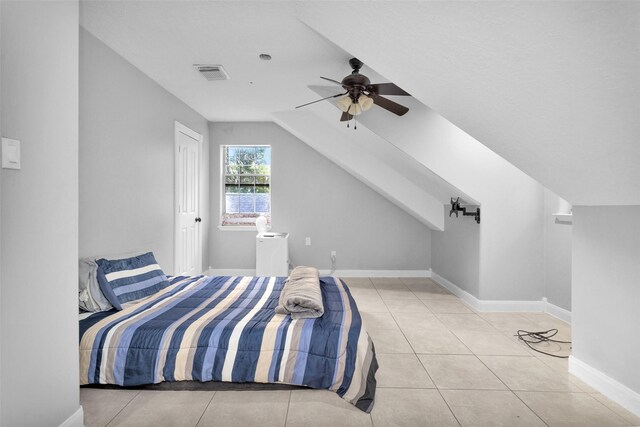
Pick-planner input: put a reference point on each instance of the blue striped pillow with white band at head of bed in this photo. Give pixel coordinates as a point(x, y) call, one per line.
point(124, 280)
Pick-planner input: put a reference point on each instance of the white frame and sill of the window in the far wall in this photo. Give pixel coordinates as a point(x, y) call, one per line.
point(249, 217)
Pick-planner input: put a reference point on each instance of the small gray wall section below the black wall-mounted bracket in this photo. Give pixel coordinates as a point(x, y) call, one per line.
point(455, 252)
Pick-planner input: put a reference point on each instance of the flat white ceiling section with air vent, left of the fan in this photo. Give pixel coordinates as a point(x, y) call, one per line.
point(164, 39)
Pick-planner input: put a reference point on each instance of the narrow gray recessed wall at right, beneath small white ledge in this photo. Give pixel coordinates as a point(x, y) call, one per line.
point(557, 252)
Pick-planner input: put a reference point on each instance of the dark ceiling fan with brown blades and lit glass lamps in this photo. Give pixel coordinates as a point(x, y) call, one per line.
point(361, 94)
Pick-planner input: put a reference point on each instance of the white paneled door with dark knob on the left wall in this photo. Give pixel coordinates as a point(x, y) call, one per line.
point(188, 251)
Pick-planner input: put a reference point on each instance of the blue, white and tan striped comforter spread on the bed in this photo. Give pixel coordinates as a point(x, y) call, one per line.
point(226, 329)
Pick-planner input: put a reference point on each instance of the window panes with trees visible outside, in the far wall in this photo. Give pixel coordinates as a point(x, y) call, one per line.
point(246, 171)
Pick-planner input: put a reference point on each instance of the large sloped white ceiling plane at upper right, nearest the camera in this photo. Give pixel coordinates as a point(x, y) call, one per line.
point(553, 87)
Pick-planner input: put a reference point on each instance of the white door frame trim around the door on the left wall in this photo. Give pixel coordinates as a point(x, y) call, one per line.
point(179, 128)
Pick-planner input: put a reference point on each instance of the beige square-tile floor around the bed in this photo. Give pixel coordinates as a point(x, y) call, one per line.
point(441, 364)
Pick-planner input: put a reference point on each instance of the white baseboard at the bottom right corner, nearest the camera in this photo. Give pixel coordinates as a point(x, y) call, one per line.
point(619, 393)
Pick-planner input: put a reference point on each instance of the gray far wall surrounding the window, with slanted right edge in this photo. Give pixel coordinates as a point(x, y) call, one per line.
point(313, 197)
